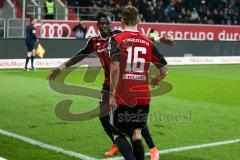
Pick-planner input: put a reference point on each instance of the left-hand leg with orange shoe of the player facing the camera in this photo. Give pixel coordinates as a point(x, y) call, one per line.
point(104, 119)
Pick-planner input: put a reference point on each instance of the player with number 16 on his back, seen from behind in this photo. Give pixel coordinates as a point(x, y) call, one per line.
point(131, 54)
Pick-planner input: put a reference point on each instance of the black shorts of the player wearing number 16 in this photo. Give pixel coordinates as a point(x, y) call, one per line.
point(125, 120)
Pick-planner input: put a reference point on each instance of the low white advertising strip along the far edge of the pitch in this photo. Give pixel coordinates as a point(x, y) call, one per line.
point(94, 62)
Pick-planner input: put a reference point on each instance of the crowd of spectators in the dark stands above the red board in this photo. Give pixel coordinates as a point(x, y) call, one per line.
point(172, 11)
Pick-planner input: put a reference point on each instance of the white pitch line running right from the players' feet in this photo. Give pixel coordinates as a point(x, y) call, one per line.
point(179, 149)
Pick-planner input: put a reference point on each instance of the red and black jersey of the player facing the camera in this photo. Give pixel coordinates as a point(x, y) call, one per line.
point(99, 45)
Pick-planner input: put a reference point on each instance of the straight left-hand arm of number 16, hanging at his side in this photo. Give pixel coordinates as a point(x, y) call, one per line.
point(114, 71)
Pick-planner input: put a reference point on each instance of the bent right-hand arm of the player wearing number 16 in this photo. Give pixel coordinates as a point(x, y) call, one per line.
point(160, 62)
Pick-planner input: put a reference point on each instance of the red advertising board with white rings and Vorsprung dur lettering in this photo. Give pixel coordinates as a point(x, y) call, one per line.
point(63, 29)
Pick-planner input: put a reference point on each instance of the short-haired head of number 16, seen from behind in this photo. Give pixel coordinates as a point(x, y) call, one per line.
point(130, 15)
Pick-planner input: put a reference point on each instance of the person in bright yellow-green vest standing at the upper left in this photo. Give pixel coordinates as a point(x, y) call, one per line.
point(50, 9)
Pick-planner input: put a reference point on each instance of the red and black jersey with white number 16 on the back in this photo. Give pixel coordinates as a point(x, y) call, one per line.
point(134, 51)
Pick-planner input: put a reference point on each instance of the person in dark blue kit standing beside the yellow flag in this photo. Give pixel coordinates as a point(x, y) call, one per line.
point(30, 42)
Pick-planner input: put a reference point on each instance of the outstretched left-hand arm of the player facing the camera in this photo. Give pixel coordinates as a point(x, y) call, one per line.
point(83, 53)
